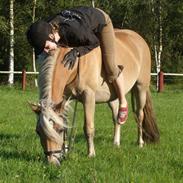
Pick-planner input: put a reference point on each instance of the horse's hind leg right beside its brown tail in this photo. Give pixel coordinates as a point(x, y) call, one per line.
point(140, 94)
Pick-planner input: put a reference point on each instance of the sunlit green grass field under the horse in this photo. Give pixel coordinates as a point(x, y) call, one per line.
point(22, 159)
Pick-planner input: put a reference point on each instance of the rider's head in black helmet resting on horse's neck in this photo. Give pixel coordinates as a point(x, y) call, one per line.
point(42, 37)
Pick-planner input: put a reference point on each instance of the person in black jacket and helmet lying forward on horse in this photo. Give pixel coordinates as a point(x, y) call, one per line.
point(83, 28)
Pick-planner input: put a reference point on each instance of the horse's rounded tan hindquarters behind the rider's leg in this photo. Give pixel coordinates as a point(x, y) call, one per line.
point(133, 53)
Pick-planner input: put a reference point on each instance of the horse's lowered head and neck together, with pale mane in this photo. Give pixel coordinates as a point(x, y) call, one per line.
point(51, 118)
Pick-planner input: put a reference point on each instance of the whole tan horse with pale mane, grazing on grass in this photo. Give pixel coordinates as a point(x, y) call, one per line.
point(87, 83)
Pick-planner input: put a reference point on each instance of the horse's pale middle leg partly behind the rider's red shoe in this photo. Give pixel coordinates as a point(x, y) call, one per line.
point(114, 105)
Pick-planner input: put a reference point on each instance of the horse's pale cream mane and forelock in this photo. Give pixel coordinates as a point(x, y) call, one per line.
point(46, 71)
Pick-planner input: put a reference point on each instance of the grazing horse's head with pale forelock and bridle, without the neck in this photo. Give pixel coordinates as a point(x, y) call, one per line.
point(51, 128)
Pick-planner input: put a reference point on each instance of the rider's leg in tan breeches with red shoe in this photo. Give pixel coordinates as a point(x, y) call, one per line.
point(115, 75)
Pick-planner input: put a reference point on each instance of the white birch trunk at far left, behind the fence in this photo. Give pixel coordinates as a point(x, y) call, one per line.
point(11, 56)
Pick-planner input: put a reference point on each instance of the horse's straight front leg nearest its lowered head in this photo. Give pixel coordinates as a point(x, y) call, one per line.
point(89, 110)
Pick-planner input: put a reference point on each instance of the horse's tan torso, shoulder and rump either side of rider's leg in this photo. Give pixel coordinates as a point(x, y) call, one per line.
point(131, 51)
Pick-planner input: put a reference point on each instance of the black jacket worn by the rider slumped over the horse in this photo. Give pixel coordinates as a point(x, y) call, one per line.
point(79, 28)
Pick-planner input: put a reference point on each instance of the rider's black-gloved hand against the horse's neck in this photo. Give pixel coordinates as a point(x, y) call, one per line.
point(70, 58)
